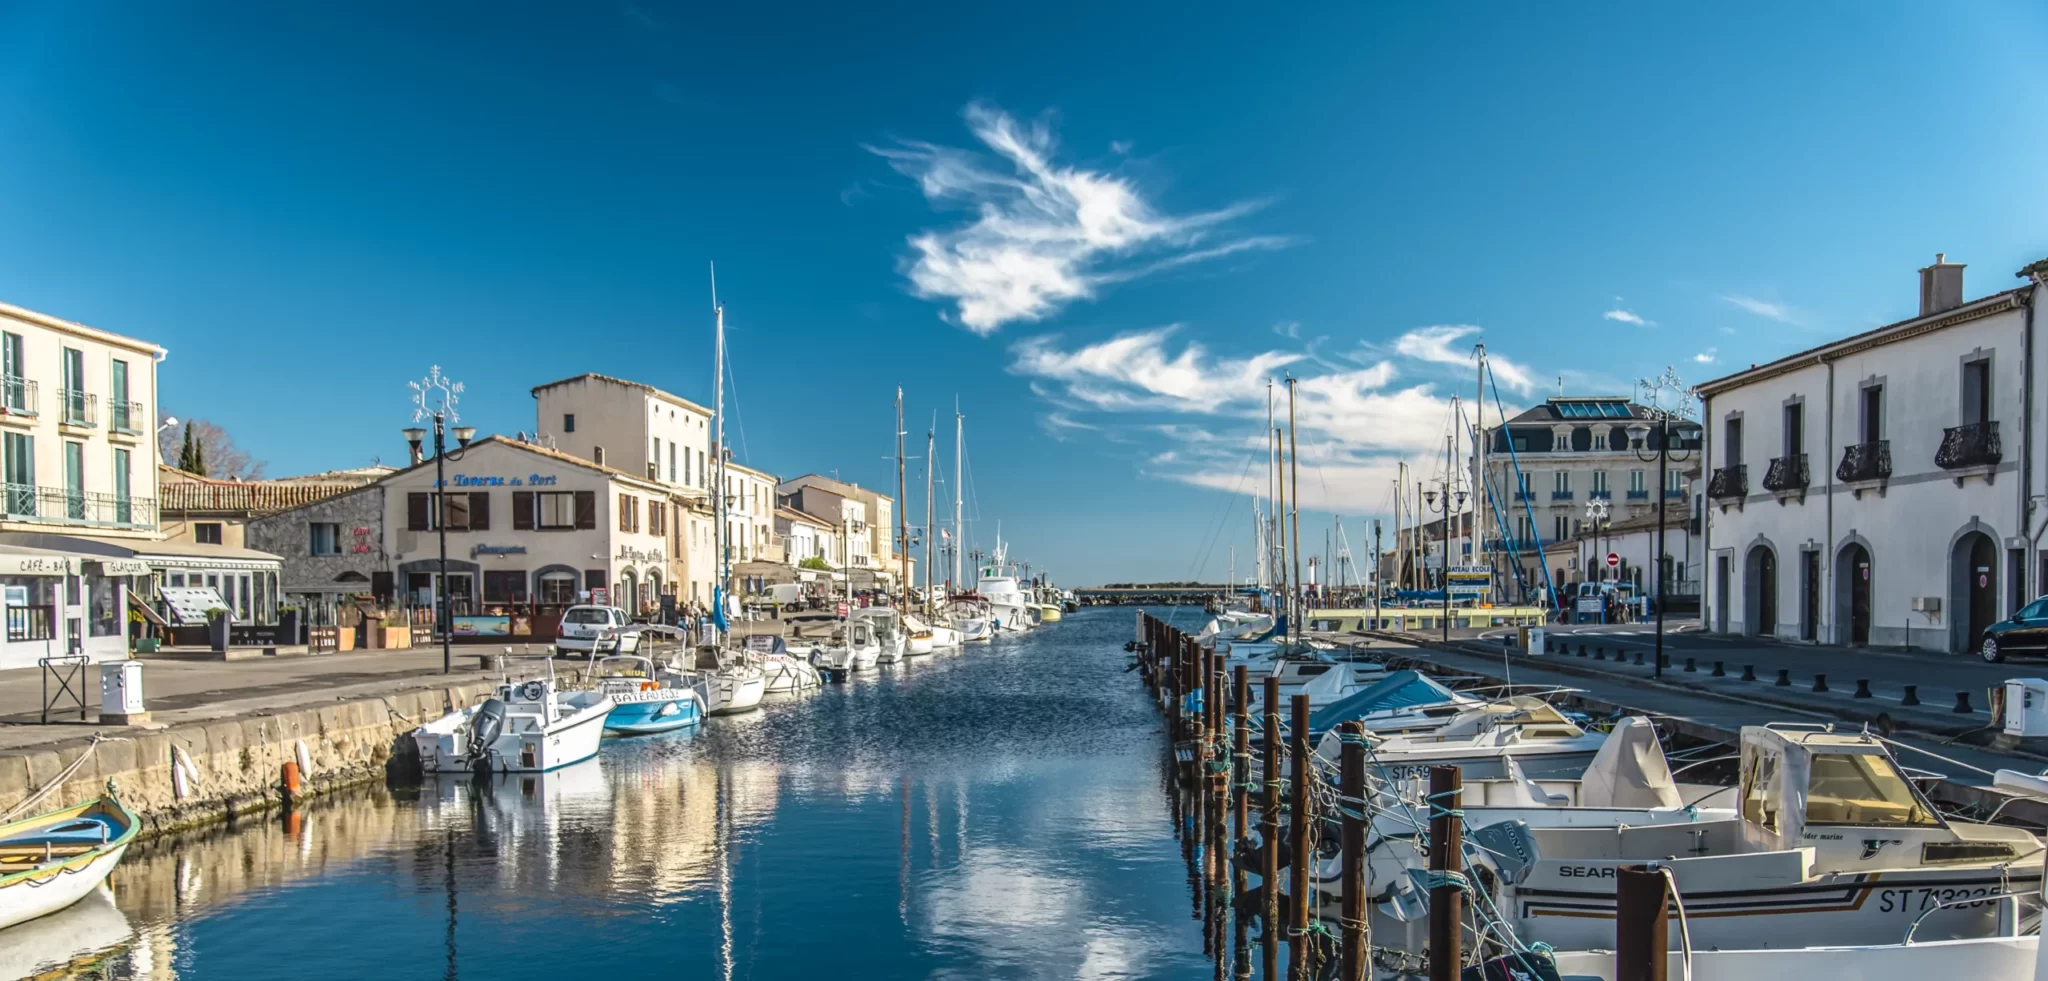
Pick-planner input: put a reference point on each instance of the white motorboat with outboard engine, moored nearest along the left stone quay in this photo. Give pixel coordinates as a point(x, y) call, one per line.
point(525, 728)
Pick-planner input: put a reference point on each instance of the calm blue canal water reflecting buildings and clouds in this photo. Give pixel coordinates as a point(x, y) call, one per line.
point(988, 814)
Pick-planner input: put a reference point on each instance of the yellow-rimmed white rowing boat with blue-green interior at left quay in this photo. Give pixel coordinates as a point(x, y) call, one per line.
point(56, 859)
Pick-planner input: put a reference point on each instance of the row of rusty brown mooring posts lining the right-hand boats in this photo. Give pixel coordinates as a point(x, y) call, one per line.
point(1220, 796)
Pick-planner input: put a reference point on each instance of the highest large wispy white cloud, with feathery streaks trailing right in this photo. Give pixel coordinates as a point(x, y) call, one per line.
point(1043, 234)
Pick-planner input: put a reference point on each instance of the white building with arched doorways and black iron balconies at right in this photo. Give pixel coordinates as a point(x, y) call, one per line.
point(1883, 488)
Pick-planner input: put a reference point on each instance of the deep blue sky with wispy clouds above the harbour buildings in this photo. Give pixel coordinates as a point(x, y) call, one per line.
point(1099, 226)
